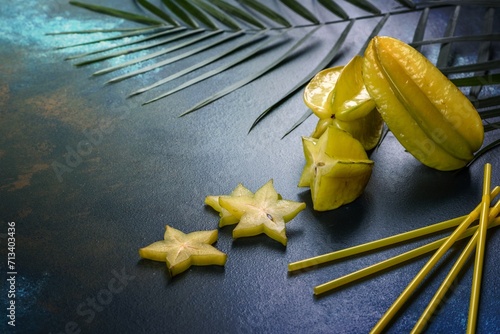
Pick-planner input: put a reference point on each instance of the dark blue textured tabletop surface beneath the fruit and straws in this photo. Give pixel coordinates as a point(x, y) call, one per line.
point(76, 235)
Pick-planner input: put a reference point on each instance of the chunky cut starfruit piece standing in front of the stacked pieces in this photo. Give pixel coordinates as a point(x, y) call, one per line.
point(337, 169)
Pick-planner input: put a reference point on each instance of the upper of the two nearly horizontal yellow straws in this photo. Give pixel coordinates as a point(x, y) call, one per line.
point(372, 245)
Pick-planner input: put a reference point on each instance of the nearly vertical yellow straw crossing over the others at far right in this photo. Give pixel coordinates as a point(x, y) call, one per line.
point(479, 260)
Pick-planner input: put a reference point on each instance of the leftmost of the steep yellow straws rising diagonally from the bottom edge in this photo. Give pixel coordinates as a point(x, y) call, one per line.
point(387, 317)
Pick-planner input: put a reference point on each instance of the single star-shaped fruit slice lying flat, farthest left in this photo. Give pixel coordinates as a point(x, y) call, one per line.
point(180, 250)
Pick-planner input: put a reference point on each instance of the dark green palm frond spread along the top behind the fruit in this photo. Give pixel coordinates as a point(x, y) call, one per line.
point(247, 27)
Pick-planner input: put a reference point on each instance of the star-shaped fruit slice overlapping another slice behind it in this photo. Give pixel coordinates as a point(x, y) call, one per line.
point(264, 212)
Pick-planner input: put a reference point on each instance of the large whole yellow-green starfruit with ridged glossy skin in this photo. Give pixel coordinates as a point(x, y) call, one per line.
point(424, 110)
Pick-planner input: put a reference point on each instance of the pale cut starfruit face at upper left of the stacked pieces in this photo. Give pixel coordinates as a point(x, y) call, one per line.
point(316, 94)
